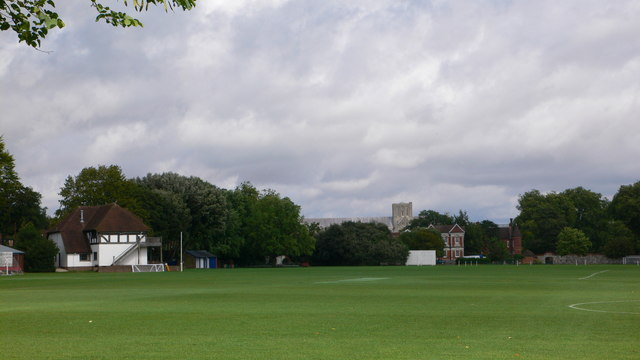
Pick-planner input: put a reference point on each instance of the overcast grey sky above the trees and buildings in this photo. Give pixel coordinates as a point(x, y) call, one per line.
point(343, 106)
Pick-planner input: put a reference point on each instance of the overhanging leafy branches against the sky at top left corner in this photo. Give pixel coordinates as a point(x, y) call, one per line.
point(31, 20)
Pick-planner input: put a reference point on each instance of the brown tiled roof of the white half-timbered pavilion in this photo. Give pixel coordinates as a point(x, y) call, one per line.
point(105, 218)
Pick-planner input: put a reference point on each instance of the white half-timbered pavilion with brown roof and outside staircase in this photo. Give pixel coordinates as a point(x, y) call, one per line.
point(97, 236)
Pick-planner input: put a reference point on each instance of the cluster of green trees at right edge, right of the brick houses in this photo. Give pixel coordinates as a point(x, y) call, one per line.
point(579, 220)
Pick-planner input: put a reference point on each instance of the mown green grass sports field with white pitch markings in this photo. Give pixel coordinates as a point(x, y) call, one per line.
point(444, 312)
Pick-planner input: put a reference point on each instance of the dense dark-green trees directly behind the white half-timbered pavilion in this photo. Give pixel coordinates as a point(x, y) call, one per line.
point(243, 225)
